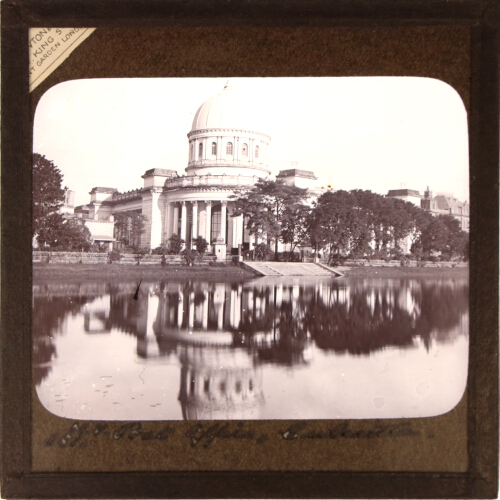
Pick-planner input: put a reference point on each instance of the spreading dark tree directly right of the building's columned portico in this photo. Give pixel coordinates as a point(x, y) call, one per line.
point(264, 208)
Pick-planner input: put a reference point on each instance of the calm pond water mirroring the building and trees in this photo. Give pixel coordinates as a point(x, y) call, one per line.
point(289, 348)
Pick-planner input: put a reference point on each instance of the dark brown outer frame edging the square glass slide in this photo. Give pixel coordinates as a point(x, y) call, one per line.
point(480, 17)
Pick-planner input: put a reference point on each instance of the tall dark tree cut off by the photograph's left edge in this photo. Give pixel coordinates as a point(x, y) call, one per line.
point(48, 195)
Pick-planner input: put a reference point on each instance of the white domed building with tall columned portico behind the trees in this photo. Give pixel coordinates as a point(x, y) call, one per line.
point(227, 153)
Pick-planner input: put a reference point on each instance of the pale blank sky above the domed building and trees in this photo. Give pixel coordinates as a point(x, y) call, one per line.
point(376, 133)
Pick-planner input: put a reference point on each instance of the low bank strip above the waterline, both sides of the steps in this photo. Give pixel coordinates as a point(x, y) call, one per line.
point(217, 272)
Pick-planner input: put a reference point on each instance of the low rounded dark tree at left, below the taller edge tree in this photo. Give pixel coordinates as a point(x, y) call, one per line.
point(64, 234)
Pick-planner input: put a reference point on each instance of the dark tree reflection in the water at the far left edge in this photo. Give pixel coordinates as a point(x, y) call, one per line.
point(48, 317)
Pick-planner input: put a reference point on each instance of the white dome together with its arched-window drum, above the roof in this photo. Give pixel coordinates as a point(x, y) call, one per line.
point(225, 133)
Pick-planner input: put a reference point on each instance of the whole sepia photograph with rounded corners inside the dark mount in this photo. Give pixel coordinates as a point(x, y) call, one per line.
point(250, 248)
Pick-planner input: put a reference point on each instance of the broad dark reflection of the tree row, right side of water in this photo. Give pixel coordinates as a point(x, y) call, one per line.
point(379, 317)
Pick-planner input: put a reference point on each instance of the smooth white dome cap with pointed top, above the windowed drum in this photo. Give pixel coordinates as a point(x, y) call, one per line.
point(227, 109)
